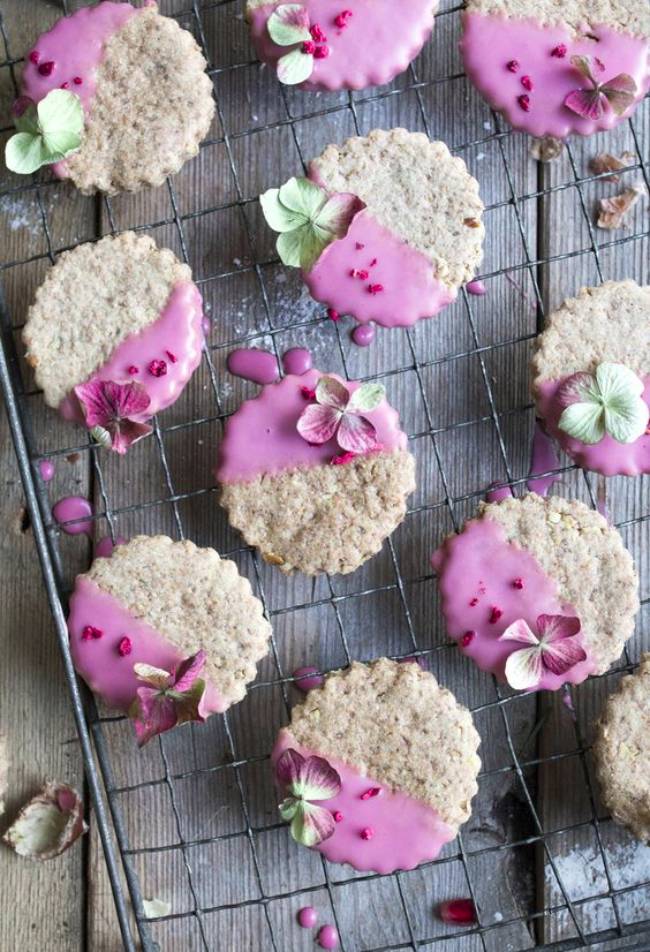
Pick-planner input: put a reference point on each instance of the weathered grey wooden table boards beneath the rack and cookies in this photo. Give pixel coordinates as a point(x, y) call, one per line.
point(462, 392)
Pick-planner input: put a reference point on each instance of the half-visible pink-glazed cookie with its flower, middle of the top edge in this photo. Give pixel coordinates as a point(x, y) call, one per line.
point(319, 46)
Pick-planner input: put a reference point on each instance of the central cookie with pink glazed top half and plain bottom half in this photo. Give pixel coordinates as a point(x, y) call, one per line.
point(315, 472)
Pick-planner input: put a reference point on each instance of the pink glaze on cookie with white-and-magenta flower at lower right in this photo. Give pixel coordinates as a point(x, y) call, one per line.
point(479, 570)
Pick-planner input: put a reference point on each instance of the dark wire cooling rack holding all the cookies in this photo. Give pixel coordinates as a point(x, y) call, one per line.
point(191, 819)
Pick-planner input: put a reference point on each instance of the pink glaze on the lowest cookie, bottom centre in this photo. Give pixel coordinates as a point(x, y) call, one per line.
point(406, 831)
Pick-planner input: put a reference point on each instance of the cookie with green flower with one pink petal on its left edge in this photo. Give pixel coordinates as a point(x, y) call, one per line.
point(386, 228)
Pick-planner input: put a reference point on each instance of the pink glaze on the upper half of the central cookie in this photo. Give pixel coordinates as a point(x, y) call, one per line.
point(261, 437)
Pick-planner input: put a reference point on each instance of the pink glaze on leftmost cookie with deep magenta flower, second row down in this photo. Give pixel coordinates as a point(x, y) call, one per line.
point(176, 338)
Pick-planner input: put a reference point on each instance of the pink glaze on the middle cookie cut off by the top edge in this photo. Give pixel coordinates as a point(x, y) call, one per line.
point(376, 44)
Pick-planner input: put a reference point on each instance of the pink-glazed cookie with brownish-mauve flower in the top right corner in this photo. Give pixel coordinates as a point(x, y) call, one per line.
point(557, 67)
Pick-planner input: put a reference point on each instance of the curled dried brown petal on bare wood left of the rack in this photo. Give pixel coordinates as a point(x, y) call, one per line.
point(48, 824)
